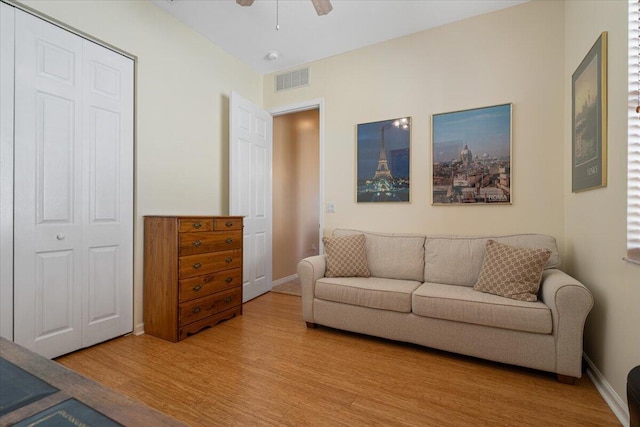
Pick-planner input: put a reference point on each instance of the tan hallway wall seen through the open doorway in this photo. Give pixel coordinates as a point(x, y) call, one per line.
point(295, 190)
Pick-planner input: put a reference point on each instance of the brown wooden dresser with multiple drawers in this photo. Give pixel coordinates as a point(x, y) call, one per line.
point(192, 273)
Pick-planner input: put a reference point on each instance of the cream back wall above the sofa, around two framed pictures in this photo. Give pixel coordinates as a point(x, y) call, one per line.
point(515, 55)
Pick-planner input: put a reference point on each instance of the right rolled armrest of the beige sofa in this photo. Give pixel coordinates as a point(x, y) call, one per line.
point(570, 302)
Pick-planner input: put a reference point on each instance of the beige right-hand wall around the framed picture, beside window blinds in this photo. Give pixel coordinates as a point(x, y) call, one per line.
point(595, 221)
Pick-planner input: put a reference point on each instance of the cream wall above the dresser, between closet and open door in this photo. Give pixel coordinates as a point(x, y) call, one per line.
point(183, 83)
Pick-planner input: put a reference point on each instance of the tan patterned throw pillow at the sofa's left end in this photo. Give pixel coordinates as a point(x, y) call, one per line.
point(346, 256)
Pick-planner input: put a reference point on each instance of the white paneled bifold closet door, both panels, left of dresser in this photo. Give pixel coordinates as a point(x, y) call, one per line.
point(73, 183)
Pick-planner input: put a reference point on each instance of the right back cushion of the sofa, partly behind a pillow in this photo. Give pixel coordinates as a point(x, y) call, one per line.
point(457, 260)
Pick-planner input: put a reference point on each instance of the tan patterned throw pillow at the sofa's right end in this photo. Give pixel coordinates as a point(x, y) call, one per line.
point(512, 272)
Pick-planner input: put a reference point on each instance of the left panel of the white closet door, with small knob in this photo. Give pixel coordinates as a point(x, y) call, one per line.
point(48, 187)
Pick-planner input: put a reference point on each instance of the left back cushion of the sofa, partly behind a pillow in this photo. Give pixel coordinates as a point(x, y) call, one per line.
point(394, 256)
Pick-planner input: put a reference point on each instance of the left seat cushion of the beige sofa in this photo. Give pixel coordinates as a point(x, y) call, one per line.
point(372, 292)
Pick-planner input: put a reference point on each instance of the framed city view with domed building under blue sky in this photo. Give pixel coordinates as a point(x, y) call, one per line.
point(472, 156)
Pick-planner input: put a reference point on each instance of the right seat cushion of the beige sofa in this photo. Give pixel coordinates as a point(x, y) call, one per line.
point(463, 304)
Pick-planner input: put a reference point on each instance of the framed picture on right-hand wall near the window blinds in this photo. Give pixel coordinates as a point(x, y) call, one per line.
point(589, 120)
